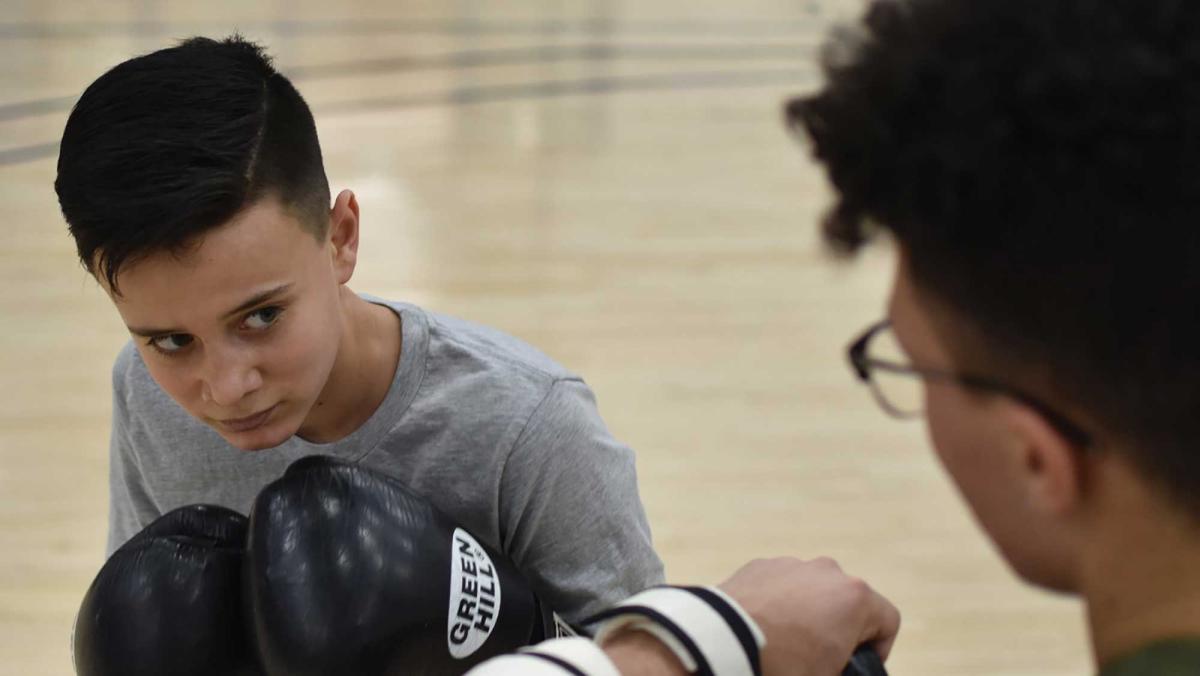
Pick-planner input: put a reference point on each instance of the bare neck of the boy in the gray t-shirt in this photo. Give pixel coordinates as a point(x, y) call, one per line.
point(363, 372)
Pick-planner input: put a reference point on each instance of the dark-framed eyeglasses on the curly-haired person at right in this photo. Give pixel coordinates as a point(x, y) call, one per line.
point(880, 362)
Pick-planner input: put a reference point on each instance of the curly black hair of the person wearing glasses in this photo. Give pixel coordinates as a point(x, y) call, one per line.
point(1040, 165)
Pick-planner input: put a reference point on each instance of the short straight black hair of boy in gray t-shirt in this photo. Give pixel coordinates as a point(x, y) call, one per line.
point(171, 145)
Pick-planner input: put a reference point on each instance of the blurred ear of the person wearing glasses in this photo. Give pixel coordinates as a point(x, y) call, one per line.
point(1052, 465)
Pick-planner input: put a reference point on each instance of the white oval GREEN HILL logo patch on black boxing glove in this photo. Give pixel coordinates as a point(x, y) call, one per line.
point(475, 596)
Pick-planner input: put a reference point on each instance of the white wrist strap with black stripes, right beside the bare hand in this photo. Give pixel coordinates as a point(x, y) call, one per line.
point(707, 630)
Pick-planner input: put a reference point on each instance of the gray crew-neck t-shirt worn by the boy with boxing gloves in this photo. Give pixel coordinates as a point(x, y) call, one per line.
point(494, 433)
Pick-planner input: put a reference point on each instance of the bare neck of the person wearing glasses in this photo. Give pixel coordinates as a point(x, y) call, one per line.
point(1142, 575)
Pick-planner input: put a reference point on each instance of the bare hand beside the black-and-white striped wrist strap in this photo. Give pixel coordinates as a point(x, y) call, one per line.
point(813, 614)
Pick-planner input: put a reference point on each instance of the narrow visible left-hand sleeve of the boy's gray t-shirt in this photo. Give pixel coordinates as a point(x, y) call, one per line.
point(130, 507)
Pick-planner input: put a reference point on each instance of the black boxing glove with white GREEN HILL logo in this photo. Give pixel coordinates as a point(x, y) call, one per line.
point(349, 572)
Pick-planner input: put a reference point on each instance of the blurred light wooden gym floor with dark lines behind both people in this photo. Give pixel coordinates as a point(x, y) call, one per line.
point(609, 181)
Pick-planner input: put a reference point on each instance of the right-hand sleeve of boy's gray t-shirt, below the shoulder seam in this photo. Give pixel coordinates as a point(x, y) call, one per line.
point(571, 515)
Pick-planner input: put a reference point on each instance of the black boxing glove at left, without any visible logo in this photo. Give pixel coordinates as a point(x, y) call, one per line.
point(170, 602)
